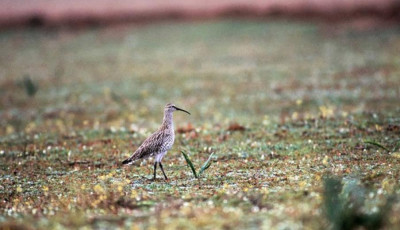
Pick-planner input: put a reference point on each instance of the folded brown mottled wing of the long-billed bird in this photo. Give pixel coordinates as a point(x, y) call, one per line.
point(151, 145)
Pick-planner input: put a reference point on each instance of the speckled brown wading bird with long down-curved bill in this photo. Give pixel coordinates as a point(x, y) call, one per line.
point(158, 143)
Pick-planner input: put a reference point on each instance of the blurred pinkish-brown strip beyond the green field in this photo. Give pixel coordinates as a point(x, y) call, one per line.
point(60, 12)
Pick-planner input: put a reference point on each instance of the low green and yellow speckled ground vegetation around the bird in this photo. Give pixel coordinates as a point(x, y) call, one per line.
point(282, 105)
